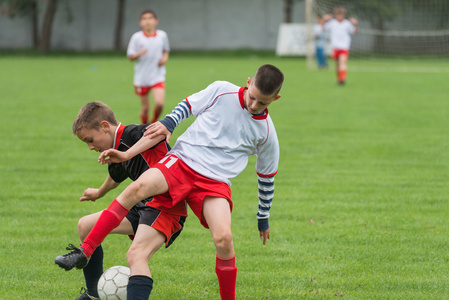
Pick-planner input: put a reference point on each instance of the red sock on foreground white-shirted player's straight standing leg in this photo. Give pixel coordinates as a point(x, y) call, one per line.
point(227, 277)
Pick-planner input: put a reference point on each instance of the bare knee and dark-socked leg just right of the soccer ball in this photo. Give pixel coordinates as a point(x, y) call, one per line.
point(146, 242)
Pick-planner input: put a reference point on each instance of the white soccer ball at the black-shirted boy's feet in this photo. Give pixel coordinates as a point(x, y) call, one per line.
point(112, 283)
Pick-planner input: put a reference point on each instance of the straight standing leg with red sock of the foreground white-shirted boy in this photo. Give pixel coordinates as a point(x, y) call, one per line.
point(217, 213)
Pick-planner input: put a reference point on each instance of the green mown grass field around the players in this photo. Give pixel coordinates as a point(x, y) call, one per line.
point(360, 208)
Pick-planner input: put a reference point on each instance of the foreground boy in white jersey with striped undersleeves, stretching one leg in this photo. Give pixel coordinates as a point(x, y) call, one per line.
point(231, 124)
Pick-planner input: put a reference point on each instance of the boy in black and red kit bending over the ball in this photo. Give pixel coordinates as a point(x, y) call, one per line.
point(97, 126)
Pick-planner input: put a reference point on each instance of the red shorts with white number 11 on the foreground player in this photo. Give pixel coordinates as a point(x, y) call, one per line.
point(186, 184)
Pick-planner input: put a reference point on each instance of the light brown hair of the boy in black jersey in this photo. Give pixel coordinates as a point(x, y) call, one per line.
point(91, 115)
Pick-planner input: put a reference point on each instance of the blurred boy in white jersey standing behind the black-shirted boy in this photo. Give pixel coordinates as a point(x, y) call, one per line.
point(150, 49)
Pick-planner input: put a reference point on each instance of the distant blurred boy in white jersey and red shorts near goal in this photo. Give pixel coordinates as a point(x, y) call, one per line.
point(341, 31)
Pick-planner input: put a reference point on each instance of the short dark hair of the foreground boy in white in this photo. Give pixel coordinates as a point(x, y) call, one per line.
point(268, 79)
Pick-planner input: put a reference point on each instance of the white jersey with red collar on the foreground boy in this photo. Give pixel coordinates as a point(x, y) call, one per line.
point(217, 145)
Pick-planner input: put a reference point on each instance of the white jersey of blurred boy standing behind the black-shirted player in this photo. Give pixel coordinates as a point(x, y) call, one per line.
point(146, 69)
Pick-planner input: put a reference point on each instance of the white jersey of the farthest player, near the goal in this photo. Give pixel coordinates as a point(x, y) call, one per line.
point(340, 33)
